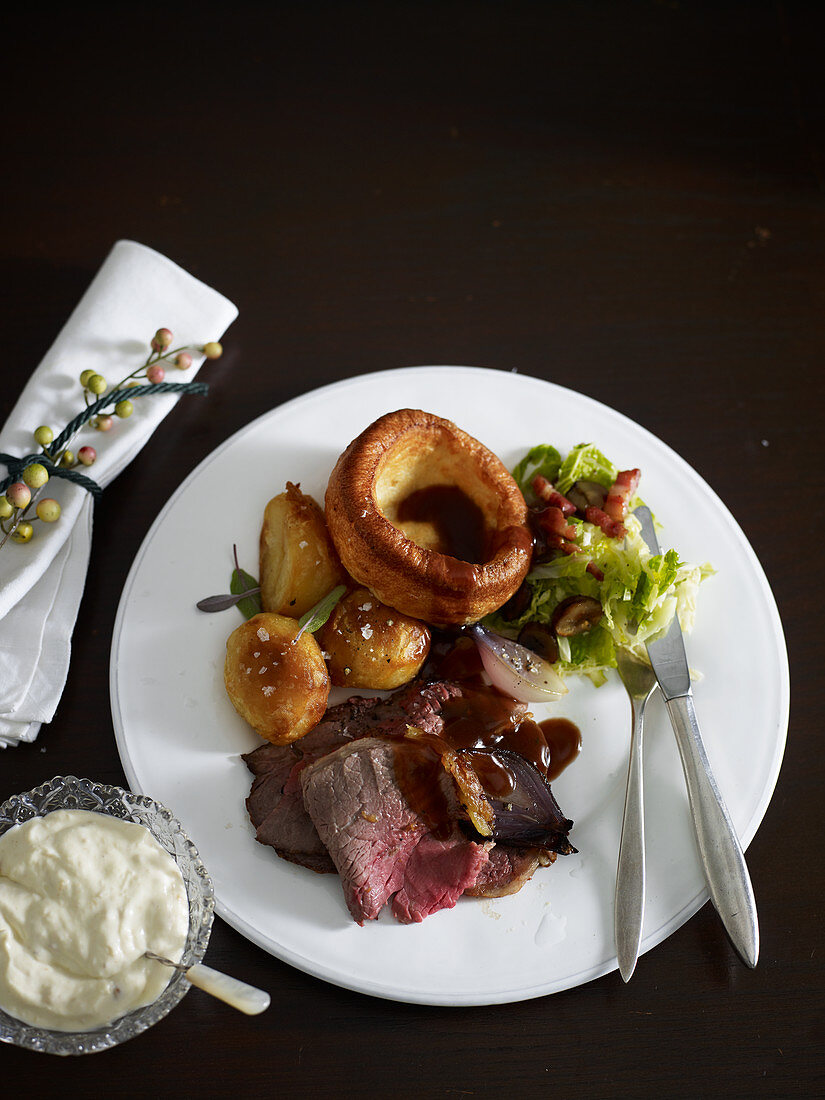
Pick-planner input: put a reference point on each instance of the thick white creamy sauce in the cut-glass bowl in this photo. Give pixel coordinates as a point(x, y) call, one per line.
point(83, 896)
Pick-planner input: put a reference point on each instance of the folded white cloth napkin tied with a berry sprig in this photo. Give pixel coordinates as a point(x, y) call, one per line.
point(136, 292)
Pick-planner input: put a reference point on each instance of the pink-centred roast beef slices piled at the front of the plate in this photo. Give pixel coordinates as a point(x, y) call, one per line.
point(334, 801)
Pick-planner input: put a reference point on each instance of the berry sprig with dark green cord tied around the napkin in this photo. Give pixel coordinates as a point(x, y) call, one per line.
point(23, 503)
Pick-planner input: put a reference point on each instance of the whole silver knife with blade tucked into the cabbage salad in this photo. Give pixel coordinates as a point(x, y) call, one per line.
point(727, 872)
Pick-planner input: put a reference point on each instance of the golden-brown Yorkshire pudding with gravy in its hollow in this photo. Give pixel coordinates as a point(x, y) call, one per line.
point(428, 520)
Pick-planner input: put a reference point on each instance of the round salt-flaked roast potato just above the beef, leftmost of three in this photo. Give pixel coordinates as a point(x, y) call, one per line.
point(278, 685)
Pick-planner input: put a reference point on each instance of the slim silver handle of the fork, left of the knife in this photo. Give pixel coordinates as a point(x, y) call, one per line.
point(630, 901)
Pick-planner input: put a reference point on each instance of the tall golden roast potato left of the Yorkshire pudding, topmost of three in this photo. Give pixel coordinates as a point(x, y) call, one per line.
point(299, 563)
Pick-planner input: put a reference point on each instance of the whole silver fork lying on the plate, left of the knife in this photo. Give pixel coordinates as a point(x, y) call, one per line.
point(640, 680)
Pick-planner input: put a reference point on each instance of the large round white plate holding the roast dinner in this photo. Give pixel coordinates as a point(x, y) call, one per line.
point(180, 739)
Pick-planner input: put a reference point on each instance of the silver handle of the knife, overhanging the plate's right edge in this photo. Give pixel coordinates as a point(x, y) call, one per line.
point(722, 856)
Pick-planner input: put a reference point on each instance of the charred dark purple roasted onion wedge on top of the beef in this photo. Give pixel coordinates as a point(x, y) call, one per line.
point(531, 813)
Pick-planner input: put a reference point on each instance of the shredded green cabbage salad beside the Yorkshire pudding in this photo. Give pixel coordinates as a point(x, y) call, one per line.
point(641, 592)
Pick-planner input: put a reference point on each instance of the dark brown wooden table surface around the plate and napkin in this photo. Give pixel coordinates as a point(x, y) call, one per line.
point(624, 199)
